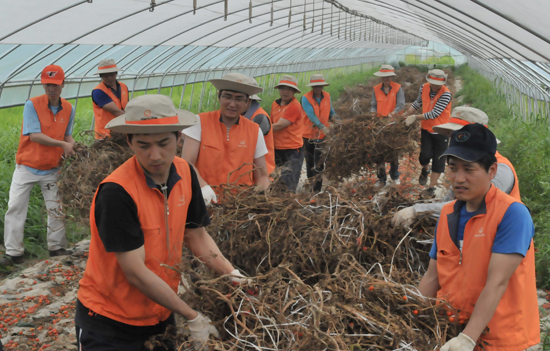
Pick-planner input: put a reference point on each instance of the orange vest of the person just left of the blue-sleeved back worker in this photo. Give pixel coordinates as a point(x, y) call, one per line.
point(291, 136)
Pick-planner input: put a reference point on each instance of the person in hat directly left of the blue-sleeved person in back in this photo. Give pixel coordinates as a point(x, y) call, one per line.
point(286, 114)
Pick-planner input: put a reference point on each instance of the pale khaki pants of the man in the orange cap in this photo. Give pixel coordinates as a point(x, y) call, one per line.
point(21, 185)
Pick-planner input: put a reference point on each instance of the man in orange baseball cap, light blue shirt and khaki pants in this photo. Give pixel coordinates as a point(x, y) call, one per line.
point(46, 137)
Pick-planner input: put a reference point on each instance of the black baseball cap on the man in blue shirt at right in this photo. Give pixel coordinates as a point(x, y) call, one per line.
point(472, 142)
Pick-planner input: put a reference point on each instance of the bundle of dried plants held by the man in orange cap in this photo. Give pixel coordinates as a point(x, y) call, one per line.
point(81, 174)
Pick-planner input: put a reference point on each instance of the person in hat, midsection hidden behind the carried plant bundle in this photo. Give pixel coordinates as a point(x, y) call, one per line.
point(388, 99)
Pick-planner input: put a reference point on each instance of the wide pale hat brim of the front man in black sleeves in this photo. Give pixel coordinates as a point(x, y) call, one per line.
point(186, 119)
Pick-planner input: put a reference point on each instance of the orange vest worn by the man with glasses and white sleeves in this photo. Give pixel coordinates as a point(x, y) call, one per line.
point(222, 153)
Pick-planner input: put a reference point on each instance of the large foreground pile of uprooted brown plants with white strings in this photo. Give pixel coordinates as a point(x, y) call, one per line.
point(328, 272)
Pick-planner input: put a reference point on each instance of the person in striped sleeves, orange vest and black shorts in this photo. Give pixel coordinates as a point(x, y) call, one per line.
point(435, 100)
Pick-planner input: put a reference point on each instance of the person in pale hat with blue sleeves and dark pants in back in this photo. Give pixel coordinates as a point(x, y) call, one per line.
point(318, 112)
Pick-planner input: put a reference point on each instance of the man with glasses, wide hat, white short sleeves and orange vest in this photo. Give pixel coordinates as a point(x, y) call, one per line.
point(223, 147)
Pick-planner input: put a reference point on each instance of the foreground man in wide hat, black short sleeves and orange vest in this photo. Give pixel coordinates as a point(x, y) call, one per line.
point(141, 216)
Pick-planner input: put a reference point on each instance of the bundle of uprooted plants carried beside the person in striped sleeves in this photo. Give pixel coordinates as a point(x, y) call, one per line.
point(360, 142)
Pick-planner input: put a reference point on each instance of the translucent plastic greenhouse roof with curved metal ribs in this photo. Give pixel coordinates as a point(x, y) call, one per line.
point(170, 37)
